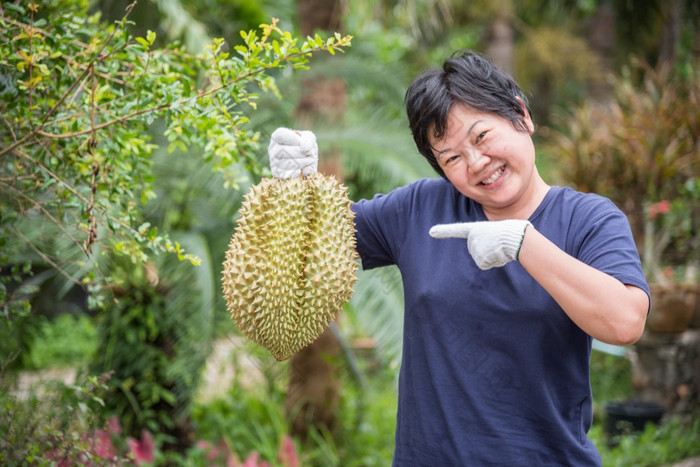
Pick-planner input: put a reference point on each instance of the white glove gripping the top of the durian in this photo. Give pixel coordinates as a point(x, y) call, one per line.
point(292, 153)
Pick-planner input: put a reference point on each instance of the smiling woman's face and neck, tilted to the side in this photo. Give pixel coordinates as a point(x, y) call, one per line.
point(491, 162)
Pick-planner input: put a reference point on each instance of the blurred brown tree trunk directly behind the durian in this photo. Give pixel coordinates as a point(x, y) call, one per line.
point(314, 390)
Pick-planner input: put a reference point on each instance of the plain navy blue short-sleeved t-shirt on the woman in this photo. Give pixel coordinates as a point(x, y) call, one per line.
point(493, 371)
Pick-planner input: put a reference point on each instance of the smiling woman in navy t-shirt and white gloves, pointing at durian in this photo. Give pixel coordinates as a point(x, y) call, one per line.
point(497, 329)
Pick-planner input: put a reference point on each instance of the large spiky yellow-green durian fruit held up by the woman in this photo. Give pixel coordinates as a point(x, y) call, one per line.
point(291, 262)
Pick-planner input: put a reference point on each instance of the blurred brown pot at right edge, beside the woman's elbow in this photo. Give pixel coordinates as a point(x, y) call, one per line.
point(672, 307)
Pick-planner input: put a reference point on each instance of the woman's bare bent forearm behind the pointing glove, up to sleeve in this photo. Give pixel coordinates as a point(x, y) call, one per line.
point(598, 303)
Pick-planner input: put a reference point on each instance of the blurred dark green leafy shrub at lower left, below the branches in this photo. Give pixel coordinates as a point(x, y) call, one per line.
point(155, 347)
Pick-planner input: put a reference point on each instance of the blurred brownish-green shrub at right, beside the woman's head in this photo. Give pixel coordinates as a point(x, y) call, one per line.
point(642, 146)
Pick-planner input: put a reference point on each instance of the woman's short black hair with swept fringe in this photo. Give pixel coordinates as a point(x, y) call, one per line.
point(467, 78)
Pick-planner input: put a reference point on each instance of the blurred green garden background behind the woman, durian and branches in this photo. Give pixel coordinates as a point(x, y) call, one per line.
point(615, 93)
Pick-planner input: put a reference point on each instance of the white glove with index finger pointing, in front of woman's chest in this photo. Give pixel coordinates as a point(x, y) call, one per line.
point(491, 243)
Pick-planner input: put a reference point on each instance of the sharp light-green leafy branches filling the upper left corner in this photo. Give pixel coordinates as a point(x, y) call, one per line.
point(78, 98)
